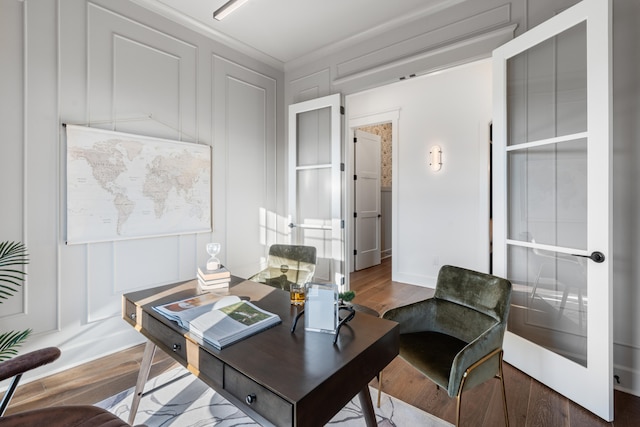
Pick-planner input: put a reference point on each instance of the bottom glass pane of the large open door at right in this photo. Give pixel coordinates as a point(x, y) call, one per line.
point(549, 300)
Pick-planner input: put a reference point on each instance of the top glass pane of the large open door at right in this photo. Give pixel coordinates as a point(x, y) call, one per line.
point(547, 88)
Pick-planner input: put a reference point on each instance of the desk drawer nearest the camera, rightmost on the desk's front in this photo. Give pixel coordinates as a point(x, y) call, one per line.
point(258, 398)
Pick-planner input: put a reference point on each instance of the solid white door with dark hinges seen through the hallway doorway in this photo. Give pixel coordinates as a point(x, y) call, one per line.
point(367, 200)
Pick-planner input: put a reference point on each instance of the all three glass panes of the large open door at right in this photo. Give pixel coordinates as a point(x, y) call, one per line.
point(547, 193)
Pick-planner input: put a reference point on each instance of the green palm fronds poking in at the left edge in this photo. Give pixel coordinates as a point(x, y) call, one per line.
point(13, 257)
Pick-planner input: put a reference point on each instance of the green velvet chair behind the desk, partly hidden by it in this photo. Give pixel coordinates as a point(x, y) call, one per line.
point(288, 264)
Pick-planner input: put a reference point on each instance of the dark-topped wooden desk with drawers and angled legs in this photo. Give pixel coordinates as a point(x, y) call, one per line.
point(275, 377)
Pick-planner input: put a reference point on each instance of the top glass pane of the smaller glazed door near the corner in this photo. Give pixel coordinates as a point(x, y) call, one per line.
point(314, 137)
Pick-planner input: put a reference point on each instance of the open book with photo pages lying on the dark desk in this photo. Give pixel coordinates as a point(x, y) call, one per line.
point(218, 321)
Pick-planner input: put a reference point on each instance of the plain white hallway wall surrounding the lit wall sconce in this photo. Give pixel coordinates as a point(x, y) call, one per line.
point(439, 217)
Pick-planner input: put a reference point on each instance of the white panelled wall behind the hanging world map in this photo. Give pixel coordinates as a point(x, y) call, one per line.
point(111, 64)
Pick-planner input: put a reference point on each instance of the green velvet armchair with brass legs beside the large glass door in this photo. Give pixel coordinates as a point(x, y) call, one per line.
point(455, 338)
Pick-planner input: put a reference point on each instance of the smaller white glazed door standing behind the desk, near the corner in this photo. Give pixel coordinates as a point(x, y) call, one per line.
point(315, 183)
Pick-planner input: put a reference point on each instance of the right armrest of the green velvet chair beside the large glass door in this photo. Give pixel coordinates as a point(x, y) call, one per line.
point(473, 352)
